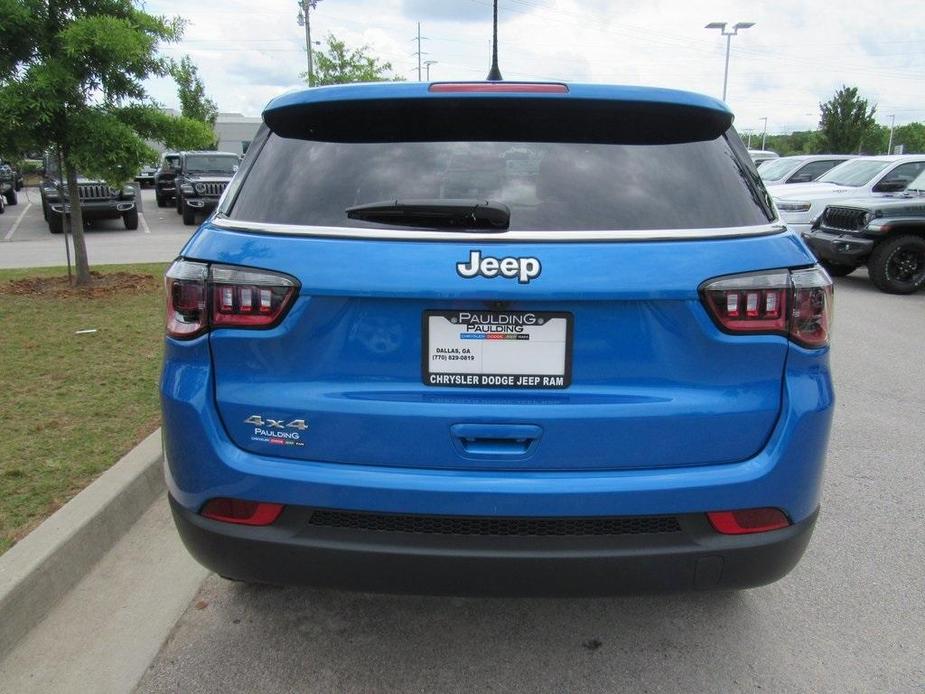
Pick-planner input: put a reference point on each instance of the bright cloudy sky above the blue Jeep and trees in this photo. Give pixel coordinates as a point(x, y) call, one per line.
point(797, 55)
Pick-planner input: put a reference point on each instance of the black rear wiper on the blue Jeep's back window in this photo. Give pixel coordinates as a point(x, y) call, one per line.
point(462, 213)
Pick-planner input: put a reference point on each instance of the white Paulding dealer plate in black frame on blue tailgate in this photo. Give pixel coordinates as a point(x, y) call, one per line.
point(497, 349)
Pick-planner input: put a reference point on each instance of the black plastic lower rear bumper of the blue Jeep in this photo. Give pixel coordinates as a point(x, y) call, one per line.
point(293, 551)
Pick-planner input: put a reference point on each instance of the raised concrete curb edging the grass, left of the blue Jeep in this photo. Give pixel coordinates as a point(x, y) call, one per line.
point(37, 572)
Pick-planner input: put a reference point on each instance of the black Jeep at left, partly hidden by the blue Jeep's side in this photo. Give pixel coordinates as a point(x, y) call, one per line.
point(201, 179)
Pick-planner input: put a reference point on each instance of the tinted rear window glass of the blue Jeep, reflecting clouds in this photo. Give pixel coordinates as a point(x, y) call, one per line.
point(547, 186)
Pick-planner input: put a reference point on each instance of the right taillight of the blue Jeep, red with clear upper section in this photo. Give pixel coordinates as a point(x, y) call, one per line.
point(795, 303)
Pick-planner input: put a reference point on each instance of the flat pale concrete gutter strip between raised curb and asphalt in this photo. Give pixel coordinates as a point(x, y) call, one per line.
point(102, 636)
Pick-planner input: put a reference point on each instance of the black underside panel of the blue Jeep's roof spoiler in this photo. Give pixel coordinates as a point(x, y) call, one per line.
point(520, 118)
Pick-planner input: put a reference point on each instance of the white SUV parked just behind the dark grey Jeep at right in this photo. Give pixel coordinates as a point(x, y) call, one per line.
point(800, 203)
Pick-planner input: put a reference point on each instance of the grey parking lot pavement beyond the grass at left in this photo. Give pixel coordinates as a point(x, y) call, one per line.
point(26, 242)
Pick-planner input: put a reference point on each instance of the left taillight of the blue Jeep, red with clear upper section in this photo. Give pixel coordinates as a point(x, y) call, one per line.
point(202, 296)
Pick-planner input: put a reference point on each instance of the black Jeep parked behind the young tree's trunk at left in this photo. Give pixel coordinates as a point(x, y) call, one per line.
point(98, 200)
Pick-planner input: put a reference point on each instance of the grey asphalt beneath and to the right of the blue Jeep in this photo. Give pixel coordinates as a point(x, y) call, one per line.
point(850, 618)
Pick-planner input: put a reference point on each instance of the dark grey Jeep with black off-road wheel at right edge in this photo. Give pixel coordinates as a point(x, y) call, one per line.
point(886, 234)
